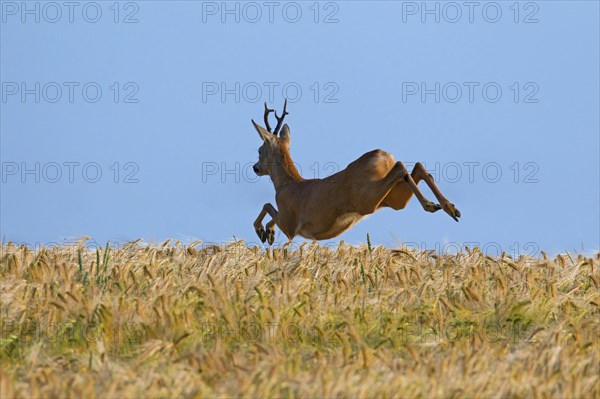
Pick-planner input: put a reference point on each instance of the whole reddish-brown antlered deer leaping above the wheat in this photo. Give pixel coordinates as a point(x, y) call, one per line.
point(320, 209)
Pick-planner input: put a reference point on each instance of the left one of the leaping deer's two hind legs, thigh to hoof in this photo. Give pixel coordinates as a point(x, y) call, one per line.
point(396, 189)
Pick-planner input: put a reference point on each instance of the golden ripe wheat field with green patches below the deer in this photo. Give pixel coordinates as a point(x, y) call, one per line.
point(352, 321)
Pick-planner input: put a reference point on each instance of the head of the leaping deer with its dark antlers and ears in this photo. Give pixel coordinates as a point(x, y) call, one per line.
point(274, 149)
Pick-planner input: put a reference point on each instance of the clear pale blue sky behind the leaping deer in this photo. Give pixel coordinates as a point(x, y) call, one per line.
point(140, 128)
